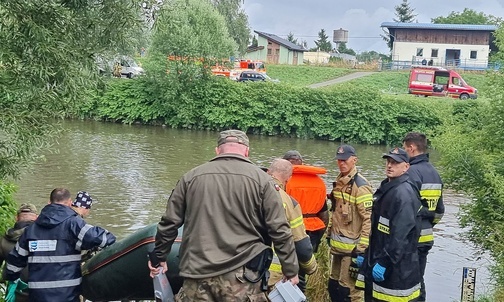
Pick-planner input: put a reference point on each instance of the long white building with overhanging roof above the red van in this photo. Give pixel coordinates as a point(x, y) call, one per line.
point(459, 45)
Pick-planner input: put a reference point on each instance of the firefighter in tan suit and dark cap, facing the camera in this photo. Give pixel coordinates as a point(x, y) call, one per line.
point(348, 233)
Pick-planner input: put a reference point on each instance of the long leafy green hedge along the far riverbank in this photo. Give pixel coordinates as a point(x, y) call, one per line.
point(344, 114)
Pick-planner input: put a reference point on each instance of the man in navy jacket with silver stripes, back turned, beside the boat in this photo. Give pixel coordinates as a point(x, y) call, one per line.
point(51, 247)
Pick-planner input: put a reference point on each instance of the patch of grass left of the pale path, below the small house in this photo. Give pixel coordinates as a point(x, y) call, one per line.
point(304, 75)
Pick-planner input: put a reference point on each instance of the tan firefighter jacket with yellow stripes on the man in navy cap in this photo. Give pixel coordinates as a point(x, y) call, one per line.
point(351, 218)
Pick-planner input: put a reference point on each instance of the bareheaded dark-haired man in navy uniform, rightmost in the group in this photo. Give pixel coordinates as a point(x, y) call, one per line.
point(428, 181)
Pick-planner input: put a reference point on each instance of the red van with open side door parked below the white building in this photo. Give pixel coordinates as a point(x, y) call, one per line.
point(438, 81)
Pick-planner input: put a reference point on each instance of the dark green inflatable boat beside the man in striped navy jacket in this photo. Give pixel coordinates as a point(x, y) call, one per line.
point(119, 272)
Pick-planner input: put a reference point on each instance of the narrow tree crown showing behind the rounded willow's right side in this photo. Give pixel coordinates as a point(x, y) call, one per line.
point(236, 21)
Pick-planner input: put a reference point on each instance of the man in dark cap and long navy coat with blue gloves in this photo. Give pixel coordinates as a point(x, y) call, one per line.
point(390, 268)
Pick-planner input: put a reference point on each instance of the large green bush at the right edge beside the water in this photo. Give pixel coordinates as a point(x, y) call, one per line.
point(471, 144)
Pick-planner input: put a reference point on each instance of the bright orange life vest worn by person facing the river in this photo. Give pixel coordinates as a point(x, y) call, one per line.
point(307, 188)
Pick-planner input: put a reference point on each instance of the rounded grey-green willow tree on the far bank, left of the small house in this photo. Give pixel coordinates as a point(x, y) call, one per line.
point(188, 37)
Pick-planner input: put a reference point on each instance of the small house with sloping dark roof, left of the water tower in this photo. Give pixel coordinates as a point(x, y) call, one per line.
point(275, 50)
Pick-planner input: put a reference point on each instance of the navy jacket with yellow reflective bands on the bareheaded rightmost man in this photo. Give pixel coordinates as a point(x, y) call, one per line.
point(428, 181)
